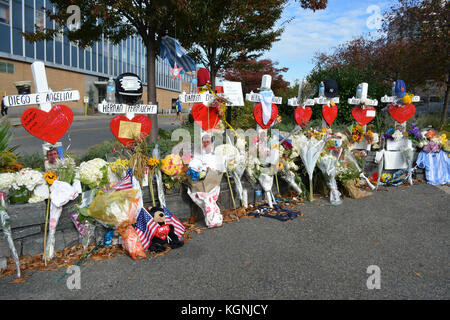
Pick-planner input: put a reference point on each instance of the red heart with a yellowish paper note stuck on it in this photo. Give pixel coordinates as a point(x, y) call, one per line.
point(124, 129)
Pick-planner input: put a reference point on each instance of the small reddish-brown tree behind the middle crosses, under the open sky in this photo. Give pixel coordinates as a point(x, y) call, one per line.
point(250, 73)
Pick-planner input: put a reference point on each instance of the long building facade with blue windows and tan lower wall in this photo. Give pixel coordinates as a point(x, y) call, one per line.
point(69, 65)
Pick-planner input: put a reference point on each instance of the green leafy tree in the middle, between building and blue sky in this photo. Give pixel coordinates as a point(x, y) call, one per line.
point(234, 30)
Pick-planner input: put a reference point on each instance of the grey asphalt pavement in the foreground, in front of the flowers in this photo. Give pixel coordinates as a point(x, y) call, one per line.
point(325, 254)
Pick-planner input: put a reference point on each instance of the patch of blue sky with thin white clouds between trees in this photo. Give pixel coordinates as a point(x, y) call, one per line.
point(321, 31)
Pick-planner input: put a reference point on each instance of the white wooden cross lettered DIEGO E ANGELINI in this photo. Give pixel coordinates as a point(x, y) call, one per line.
point(44, 96)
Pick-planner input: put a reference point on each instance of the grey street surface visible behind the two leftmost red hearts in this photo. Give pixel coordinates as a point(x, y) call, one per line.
point(82, 135)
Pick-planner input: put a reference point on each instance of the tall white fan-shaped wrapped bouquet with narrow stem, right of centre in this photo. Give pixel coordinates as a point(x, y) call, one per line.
point(309, 150)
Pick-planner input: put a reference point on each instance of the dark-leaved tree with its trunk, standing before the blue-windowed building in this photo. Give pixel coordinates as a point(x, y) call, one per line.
point(117, 20)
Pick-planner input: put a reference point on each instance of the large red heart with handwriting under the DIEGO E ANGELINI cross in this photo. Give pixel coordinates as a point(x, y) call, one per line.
point(48, 126)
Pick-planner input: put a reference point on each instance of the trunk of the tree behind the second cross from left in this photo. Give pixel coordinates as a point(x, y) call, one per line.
point(151, 89)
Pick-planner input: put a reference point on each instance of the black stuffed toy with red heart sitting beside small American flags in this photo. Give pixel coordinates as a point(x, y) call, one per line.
point(164, 234)
